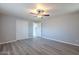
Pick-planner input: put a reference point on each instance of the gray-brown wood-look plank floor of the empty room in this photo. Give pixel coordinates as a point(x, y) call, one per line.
point(38, 46)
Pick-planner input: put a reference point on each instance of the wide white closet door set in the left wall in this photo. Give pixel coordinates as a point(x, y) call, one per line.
point(21, 29)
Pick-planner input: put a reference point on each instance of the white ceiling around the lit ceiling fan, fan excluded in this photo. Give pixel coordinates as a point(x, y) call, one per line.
point(22, 10)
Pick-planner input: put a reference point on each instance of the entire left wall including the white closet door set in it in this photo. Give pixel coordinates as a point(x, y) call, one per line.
point(12, 29)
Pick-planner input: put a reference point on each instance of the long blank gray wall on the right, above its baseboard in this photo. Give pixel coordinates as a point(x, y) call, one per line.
point(63, 28)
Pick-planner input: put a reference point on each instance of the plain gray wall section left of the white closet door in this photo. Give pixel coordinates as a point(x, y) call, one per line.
point(7, 26)
